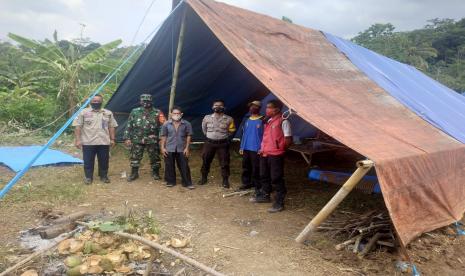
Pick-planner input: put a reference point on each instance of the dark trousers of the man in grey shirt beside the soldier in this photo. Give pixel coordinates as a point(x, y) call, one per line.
point(179, 159)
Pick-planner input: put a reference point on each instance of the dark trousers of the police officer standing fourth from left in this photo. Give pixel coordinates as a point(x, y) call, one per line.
point(209, 150)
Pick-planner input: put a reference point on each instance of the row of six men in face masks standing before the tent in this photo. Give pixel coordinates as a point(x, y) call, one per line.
point(264, 142)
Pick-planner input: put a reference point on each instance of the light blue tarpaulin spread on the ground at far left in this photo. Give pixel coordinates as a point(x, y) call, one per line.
point(17, 157)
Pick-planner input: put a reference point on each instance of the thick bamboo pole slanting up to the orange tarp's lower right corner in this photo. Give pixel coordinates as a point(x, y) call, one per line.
point(362, 168)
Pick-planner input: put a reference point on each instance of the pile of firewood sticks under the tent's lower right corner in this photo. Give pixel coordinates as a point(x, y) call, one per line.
point(362, 233)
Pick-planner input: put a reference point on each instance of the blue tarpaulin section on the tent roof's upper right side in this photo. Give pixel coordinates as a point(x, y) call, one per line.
point(439, 105)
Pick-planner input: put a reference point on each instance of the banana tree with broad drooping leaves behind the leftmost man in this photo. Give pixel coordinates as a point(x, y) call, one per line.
point(67, 66)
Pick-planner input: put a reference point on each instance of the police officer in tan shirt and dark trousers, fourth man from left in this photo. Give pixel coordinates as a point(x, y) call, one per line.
point(218, 128)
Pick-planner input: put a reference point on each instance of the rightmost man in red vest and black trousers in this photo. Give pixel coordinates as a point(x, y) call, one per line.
point(277, 137)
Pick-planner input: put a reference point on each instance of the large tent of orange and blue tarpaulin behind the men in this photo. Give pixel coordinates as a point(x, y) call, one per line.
point(239, 55)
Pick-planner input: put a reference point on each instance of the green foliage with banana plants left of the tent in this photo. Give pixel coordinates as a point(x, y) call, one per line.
point(43, 82)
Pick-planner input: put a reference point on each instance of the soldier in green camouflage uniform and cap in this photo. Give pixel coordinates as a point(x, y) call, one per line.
point(143, 132)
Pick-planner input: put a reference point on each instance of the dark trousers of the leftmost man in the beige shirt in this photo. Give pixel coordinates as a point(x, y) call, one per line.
point(103, 156)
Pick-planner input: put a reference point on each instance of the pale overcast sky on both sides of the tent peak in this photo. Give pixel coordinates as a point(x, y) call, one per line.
point(106, 20)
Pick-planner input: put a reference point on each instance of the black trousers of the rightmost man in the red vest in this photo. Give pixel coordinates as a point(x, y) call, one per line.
point(272, 176)
